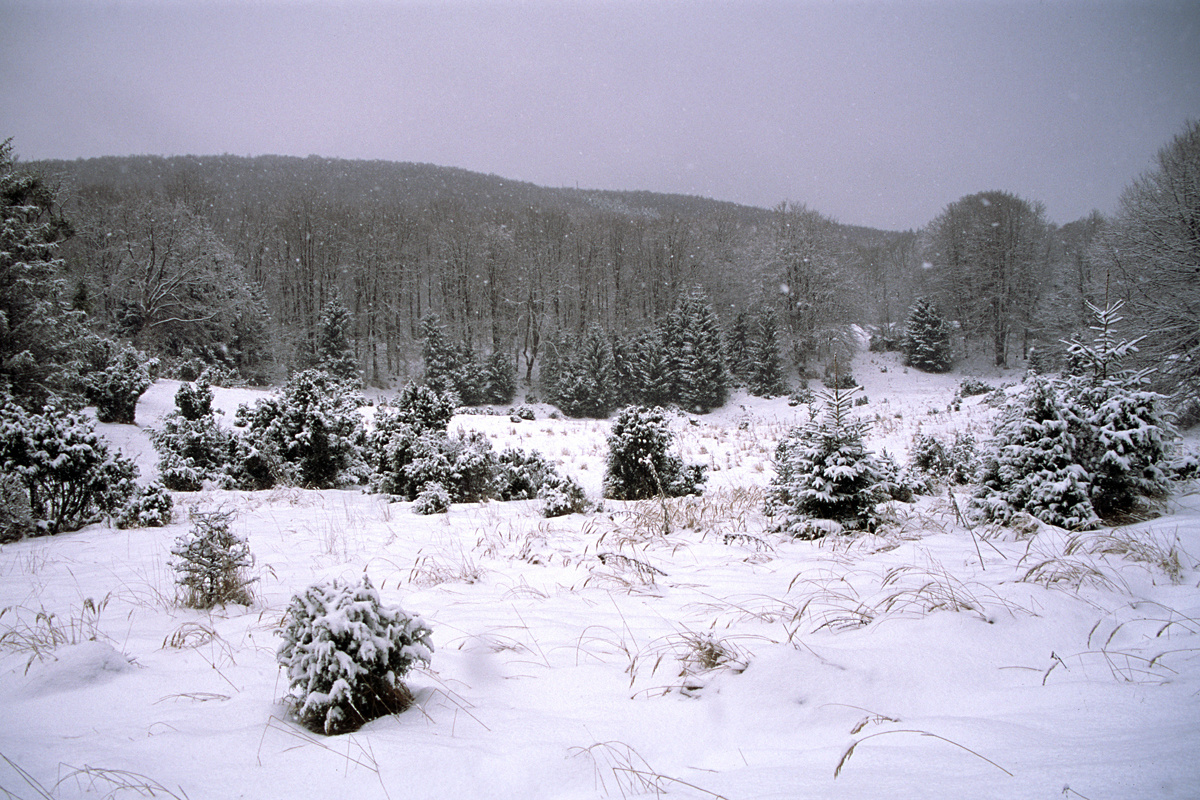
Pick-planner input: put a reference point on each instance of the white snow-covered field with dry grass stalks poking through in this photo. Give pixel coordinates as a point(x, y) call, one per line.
point(707, 658)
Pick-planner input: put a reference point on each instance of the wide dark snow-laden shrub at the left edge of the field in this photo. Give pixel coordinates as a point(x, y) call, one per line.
point(69, 473)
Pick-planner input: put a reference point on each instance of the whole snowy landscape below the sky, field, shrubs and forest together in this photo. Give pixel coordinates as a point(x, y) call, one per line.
point(682, 497)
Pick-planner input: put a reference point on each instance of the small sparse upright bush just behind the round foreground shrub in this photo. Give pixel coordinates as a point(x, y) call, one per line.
point(212, 562)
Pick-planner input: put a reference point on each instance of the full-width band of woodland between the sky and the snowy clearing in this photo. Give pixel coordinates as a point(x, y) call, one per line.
point(232, 263)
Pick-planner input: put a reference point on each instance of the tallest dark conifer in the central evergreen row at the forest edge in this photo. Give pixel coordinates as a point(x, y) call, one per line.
point(697, 356)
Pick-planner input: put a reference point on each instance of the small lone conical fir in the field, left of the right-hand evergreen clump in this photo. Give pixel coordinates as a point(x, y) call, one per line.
point(825, 472)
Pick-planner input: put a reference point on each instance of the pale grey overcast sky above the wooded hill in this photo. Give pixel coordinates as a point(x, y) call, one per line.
point(877, 113)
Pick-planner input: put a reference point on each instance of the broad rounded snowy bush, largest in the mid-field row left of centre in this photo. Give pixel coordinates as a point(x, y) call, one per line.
point(314, 429)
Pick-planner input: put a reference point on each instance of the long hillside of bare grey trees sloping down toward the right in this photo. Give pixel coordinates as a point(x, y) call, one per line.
point(503, 264)
